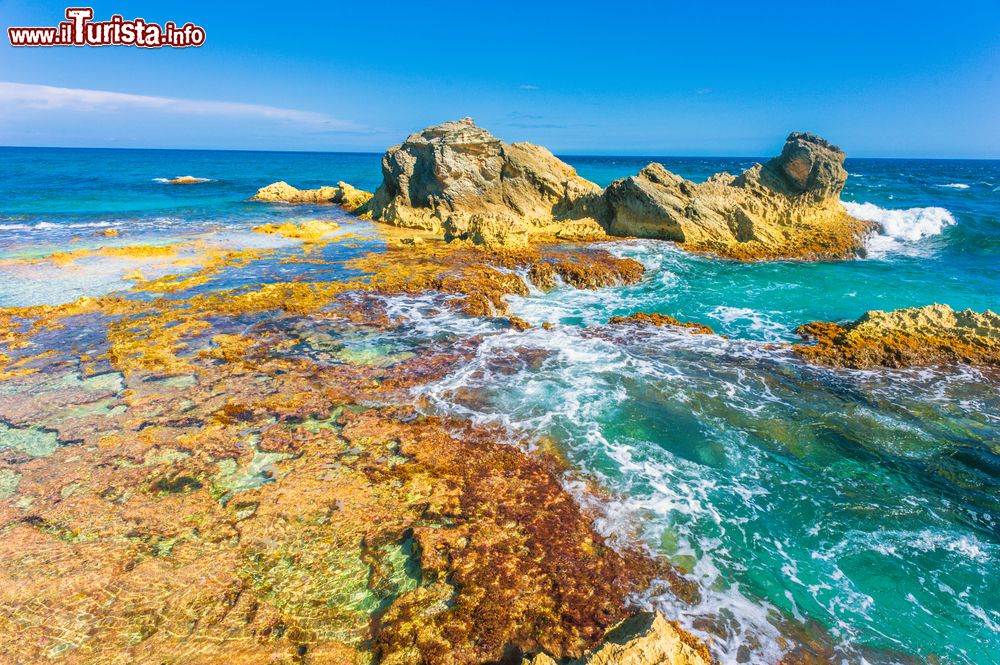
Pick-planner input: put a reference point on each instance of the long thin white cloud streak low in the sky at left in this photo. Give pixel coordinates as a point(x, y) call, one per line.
point(46, 97)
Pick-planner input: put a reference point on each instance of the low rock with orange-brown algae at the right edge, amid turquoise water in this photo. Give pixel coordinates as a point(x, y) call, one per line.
point(918, 336)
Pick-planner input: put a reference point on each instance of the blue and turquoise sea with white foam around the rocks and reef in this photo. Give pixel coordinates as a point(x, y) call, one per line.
point(860, 505)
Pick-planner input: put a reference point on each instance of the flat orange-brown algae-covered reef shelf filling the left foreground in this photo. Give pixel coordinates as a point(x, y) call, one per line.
point(236, 475)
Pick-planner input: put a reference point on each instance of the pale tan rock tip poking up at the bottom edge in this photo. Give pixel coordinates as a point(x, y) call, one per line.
point(645, 639)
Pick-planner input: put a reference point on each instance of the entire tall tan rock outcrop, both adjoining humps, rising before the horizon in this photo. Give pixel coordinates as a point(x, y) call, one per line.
point(459, 180)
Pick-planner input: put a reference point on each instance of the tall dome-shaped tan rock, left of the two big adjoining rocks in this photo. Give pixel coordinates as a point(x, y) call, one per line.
point(458, 178)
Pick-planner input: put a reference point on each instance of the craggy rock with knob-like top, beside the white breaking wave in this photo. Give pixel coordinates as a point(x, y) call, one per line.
point(789, 207)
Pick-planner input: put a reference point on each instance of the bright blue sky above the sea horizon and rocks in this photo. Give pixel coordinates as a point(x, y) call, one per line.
point(880, 79)
